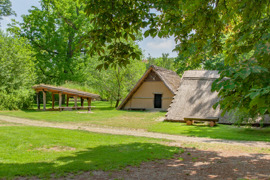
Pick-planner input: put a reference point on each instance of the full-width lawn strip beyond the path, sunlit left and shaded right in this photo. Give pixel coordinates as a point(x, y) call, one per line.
point(104, 115)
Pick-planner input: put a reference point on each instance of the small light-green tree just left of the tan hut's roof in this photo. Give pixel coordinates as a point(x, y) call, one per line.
point(113, 84)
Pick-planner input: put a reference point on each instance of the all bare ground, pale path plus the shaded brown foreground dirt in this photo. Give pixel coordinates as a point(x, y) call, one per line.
point(202, 158)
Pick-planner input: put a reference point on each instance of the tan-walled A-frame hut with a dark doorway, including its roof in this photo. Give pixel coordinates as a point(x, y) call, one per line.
point(155, 90)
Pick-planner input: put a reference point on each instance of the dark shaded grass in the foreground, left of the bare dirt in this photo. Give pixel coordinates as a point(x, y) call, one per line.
point(98, 158)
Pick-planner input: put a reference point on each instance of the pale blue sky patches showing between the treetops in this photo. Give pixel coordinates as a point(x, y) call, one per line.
point(153, 46)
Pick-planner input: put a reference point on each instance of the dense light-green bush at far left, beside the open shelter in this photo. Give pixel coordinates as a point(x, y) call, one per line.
point(17, 73)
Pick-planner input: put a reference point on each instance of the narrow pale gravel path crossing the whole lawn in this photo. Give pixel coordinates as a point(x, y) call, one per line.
point(130, 132)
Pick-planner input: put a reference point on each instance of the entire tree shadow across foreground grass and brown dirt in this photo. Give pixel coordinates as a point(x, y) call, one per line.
point(191, 164)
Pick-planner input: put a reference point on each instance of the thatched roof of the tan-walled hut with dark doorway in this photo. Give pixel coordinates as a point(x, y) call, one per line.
point(170, 78)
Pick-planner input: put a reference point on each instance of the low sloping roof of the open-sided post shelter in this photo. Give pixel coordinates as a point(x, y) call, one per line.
point(72, 92)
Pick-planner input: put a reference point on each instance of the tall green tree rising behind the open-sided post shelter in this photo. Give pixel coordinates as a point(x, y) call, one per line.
point(56, 32)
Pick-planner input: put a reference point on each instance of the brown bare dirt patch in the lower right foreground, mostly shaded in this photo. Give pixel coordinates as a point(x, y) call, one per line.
point(192, 164)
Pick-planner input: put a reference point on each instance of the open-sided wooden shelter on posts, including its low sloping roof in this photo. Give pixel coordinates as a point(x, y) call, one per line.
point(64, 92)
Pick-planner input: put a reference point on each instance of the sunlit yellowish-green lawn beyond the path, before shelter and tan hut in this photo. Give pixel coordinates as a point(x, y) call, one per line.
point(103, 115)
